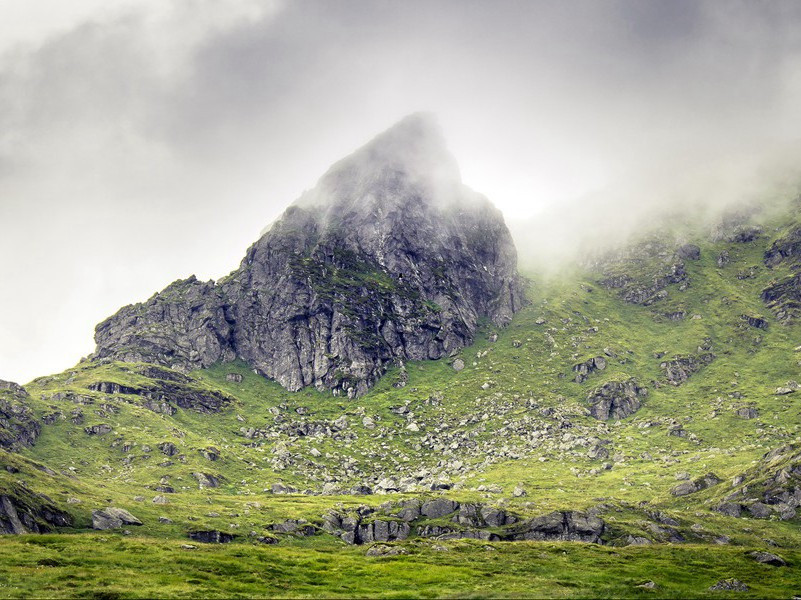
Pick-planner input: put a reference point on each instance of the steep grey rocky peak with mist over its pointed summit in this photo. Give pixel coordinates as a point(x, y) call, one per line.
point(390, 257)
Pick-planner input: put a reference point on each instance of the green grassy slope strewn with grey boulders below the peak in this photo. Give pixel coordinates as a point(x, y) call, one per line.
point(679, 494)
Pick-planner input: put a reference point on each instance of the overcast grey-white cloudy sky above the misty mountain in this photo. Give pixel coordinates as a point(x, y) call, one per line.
point(146, 140)
